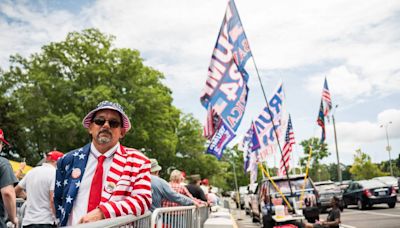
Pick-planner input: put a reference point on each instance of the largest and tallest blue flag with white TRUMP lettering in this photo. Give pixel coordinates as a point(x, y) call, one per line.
point(225, 92)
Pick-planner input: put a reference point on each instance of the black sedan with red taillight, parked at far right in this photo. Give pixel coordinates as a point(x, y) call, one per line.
point(366, 193)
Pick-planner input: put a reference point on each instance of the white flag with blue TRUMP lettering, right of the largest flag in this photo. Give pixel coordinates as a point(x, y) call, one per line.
point(268, 125)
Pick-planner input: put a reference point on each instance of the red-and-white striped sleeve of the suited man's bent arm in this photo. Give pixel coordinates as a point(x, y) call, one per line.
point(138, 201)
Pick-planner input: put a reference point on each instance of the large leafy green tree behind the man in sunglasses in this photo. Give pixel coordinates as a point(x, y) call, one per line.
point(47, 94)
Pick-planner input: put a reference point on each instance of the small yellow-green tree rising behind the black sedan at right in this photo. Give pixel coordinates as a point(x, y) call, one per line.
point(363, 168)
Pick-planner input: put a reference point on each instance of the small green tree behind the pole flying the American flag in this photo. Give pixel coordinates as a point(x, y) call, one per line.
point(319, 151)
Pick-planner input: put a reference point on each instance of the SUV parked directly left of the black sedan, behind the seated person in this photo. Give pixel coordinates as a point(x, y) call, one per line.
point(326, 190)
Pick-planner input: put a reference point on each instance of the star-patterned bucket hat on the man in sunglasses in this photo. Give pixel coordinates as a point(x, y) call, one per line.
point(126, 124)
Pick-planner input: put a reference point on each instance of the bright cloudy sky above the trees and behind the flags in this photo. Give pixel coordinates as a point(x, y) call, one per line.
point(354, 44)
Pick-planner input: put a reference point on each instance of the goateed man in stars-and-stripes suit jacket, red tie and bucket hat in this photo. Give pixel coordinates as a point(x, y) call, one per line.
point(102, 179)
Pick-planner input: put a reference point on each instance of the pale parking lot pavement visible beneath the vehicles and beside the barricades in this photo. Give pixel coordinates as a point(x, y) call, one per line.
point(379, 216)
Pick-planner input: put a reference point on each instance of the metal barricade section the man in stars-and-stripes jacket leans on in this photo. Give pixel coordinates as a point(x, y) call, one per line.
point(127, 221)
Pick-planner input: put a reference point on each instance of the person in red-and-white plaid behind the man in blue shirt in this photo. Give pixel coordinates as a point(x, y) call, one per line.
point(175, 181)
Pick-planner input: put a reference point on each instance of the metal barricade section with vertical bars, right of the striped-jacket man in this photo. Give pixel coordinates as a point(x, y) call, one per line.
point(179, 217)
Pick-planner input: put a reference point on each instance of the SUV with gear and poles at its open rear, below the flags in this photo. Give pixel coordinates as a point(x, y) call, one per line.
point(266, 196)
